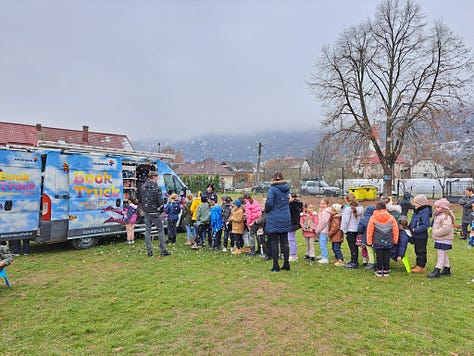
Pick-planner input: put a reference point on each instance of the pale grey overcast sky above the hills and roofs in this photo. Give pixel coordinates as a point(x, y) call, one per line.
point(175, 69)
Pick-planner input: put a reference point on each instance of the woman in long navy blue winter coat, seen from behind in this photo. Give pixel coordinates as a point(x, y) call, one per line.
point(278, 222)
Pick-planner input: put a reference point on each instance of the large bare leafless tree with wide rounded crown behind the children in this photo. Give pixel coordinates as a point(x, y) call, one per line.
point(395, 75)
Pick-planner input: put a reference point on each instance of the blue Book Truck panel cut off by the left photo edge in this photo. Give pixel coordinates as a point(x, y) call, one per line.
point(20, 194)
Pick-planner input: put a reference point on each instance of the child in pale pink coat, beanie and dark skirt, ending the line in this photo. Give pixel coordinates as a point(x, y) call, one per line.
point(443, 235)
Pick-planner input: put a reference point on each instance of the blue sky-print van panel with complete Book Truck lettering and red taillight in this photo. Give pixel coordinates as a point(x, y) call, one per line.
point(82, 196)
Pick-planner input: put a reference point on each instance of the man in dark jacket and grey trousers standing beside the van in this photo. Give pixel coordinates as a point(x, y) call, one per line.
point(151, 202)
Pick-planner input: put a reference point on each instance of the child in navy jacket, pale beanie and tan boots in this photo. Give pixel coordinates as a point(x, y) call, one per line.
point(419, 224)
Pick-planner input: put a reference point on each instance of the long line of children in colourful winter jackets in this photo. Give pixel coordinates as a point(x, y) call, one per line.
point(380, 232)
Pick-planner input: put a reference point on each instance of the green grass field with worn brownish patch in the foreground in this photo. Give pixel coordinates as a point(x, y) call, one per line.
point(113, 299)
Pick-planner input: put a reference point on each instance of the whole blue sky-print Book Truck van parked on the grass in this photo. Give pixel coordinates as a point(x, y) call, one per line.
point(72, 192)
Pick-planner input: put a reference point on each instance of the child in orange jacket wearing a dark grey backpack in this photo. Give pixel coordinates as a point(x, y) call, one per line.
point(382, 233)
